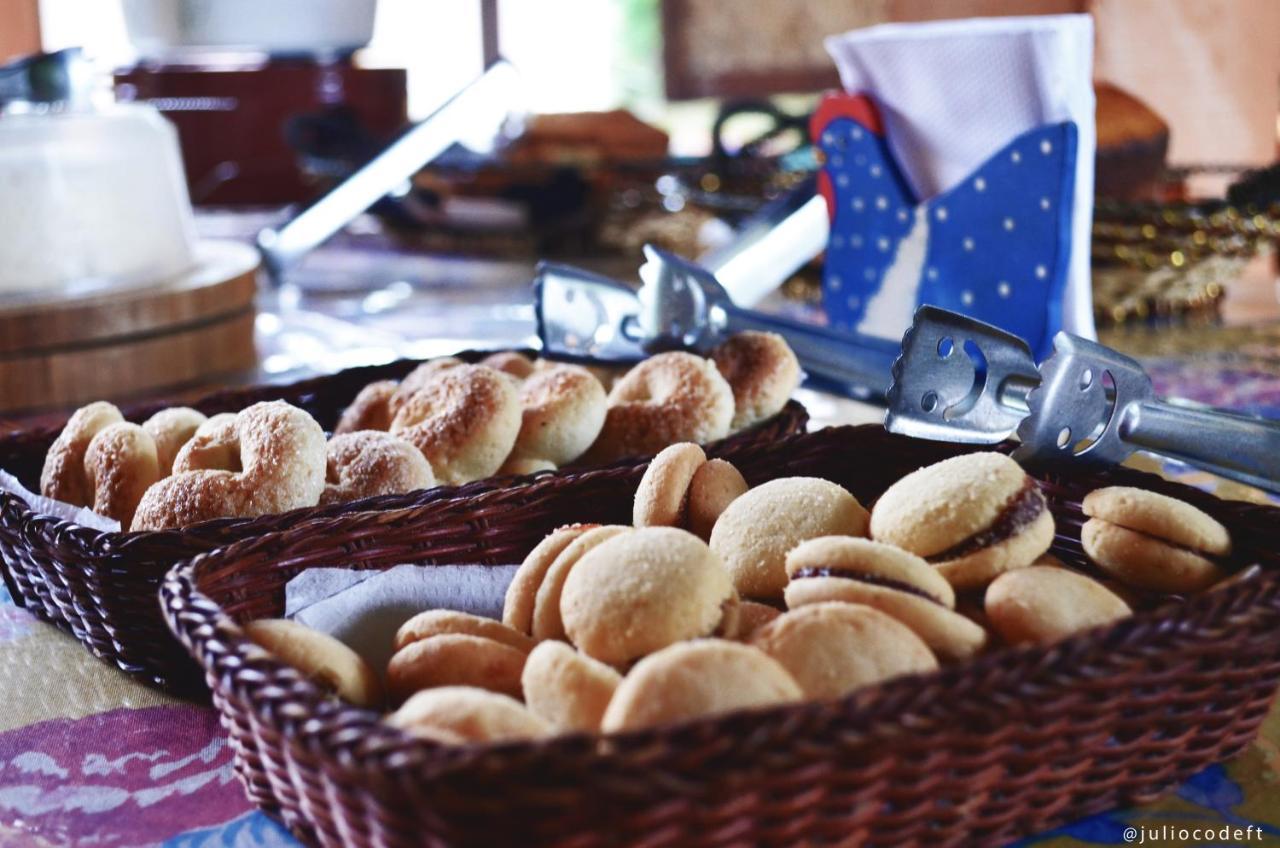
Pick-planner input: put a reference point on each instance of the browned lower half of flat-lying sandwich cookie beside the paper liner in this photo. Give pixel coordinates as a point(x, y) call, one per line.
point(455, 659)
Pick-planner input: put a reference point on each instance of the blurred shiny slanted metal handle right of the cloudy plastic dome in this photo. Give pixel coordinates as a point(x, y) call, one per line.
point(477, 112)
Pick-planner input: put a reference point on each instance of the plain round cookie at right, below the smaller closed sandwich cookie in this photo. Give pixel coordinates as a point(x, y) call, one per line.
point(1043, 604)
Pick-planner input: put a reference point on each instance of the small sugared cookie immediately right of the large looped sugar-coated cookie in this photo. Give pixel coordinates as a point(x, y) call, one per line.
point(369, 463)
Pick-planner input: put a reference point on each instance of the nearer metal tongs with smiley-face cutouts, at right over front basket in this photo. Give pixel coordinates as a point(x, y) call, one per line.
point(959, 380)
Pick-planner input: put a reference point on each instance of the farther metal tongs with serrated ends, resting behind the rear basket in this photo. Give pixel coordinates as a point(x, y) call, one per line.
point(683, 307)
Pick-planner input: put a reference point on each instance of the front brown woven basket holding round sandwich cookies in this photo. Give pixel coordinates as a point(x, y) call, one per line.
point(980, 754)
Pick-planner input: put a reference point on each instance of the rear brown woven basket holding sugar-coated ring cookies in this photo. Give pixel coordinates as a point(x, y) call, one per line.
point(102, 587)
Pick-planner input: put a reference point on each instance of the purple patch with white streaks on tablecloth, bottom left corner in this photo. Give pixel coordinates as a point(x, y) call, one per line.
point(120, 778)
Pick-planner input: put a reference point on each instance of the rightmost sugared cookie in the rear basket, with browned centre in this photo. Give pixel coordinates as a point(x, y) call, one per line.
point(762, 371)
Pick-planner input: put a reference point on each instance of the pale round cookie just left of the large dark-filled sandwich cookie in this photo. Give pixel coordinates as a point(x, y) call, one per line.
point(756, 532)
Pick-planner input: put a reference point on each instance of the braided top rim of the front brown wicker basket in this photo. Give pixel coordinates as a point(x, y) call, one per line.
point(426, 759)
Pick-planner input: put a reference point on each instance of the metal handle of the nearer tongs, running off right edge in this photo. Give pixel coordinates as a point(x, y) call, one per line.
point(1233, 446)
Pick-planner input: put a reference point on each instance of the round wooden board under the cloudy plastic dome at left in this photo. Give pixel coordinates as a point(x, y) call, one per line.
point(131, 344)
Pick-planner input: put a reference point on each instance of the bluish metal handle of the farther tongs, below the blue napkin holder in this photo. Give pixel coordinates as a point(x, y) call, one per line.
point(835, 361)
